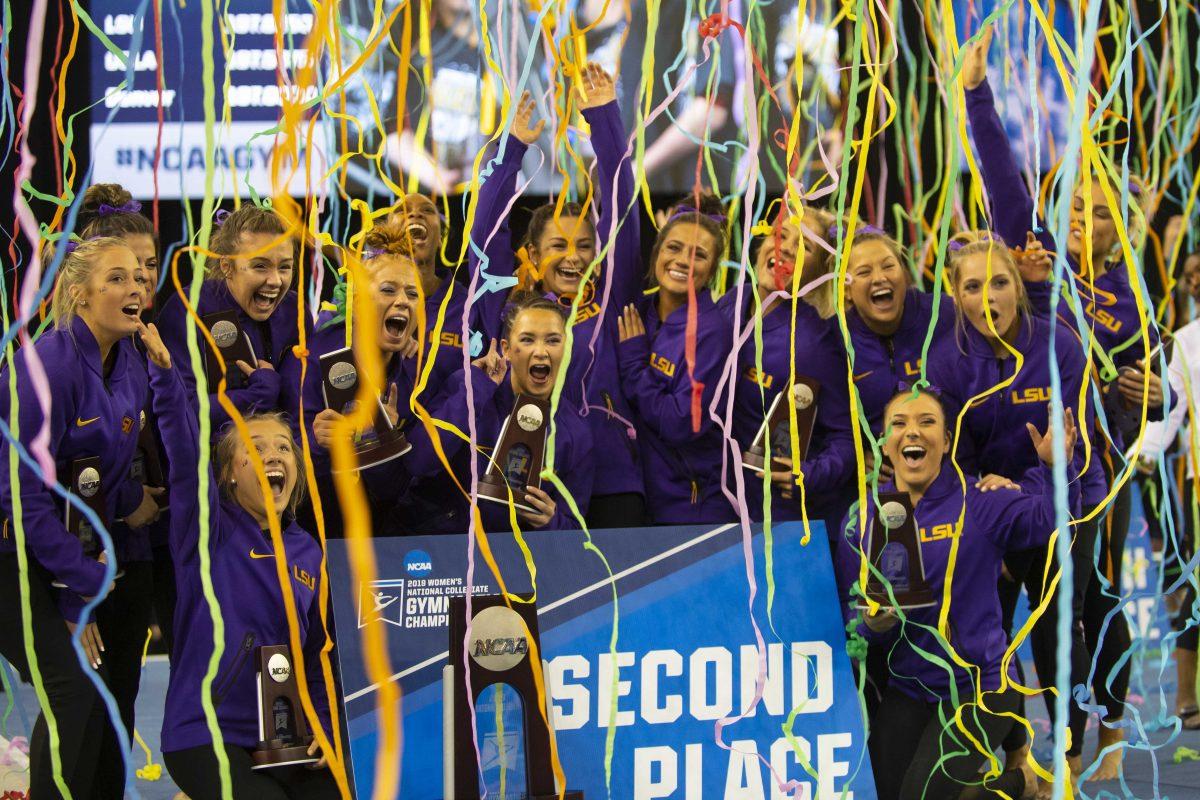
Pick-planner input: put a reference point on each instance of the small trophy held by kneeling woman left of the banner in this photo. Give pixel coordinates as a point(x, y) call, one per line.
point(284, 735)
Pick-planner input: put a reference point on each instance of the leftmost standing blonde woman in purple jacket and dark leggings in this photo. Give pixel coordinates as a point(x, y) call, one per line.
point(98, 384)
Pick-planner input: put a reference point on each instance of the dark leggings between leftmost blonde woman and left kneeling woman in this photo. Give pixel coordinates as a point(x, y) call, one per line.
point(123, 619)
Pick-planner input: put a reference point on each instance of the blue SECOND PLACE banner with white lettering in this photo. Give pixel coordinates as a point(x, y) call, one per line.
point(668, 643)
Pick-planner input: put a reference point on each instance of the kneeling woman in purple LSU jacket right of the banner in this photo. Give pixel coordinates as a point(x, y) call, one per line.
point(964, 534)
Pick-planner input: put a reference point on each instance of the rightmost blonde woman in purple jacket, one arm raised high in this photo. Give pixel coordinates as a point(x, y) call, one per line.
point(1121, 347)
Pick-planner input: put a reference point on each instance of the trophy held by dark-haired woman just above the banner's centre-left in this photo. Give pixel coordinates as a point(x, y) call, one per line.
point(519, 454)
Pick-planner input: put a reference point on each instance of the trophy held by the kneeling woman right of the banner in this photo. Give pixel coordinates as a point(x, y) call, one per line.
point(895, 551)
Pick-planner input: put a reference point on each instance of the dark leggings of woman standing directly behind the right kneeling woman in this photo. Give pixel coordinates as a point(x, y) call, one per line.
point(1028, 569)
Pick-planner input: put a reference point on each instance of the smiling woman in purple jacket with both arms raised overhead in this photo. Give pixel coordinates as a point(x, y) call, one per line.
point(561, 262)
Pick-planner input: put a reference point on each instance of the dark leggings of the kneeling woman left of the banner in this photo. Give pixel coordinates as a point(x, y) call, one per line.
point(197, 774)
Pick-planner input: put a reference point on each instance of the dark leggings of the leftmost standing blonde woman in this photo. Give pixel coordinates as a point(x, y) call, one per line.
point(77, 711)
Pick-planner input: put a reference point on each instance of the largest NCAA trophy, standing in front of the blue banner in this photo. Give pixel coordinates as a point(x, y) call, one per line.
point(499, 654)
